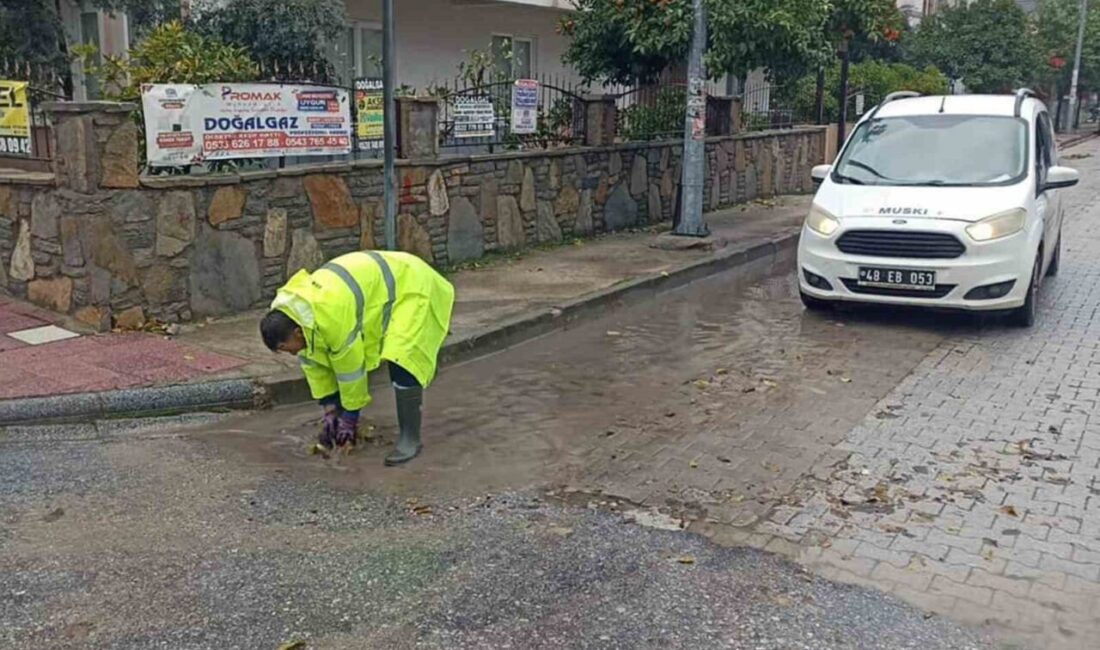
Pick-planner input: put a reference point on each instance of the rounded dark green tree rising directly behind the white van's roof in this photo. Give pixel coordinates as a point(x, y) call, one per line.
point(988, 45)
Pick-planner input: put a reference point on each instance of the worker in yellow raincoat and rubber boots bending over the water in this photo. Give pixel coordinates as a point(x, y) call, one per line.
point(348, 317)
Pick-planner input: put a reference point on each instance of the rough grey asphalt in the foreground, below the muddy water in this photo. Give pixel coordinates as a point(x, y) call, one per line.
point(152, 541)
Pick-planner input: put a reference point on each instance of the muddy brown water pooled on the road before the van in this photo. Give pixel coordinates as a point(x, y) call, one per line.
point(710, 402)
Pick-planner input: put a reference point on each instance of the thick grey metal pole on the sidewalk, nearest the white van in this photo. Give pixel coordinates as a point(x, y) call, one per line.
point(691, 224)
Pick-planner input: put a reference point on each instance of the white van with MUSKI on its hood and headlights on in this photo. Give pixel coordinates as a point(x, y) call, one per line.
point(939, 202)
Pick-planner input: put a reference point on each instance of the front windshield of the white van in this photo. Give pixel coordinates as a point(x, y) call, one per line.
point(970, 151)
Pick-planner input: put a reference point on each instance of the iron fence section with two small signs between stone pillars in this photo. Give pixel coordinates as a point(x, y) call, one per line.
point(478, 117)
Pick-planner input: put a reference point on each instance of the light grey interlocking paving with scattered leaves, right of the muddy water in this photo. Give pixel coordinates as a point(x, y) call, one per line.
point(972, 489)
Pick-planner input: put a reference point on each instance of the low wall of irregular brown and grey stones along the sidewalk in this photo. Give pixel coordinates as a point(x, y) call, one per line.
point(180, 248)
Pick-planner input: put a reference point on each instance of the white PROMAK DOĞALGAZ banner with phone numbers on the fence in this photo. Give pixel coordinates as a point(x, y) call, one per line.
point(190, 125)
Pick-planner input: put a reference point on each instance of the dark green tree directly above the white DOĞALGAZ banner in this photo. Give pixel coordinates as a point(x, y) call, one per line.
point(293, 32)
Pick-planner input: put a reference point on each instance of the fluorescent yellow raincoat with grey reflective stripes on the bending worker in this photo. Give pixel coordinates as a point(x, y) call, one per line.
point(361, 310)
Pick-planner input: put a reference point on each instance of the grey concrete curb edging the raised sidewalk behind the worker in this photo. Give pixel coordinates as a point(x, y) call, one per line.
point(291, 389)
